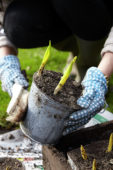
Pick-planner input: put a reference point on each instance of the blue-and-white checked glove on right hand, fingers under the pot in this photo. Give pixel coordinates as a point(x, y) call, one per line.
point(92, 100)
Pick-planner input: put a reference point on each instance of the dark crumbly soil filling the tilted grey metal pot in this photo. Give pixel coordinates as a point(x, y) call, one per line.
point(69, 93)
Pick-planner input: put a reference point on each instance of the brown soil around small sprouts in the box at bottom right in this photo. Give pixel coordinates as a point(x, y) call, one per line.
point(97, 150)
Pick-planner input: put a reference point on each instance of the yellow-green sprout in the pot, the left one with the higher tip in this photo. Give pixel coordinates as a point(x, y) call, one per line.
point(45, 59)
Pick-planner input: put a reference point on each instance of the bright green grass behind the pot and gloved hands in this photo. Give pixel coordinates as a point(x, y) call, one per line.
point(30, 60)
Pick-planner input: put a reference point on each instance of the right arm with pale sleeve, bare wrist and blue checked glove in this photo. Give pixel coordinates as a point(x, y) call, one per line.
point(95, 89)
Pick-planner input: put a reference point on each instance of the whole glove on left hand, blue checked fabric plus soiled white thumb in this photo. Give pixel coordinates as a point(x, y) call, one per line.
point(10, 74)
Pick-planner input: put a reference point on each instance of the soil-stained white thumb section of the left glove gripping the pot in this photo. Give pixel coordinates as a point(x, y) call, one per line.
point(18, 104)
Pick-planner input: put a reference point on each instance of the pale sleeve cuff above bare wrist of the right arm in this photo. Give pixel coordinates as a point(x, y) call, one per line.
point(108, 46)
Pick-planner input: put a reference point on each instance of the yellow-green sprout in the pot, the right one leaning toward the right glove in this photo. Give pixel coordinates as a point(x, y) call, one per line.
point(65, 76)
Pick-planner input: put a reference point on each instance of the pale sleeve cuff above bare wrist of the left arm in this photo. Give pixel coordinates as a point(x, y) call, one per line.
point(4, 41)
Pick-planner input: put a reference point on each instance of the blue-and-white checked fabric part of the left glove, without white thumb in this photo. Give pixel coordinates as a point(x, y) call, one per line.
point(10, 73)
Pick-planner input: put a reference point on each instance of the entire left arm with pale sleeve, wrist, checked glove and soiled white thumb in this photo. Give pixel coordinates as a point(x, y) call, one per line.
point(12, 80)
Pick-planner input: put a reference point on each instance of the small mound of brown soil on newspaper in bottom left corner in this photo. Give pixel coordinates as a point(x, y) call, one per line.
point(10, 164)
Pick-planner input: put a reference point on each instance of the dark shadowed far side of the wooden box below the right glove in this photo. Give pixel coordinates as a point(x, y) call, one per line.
point(85, 136)
